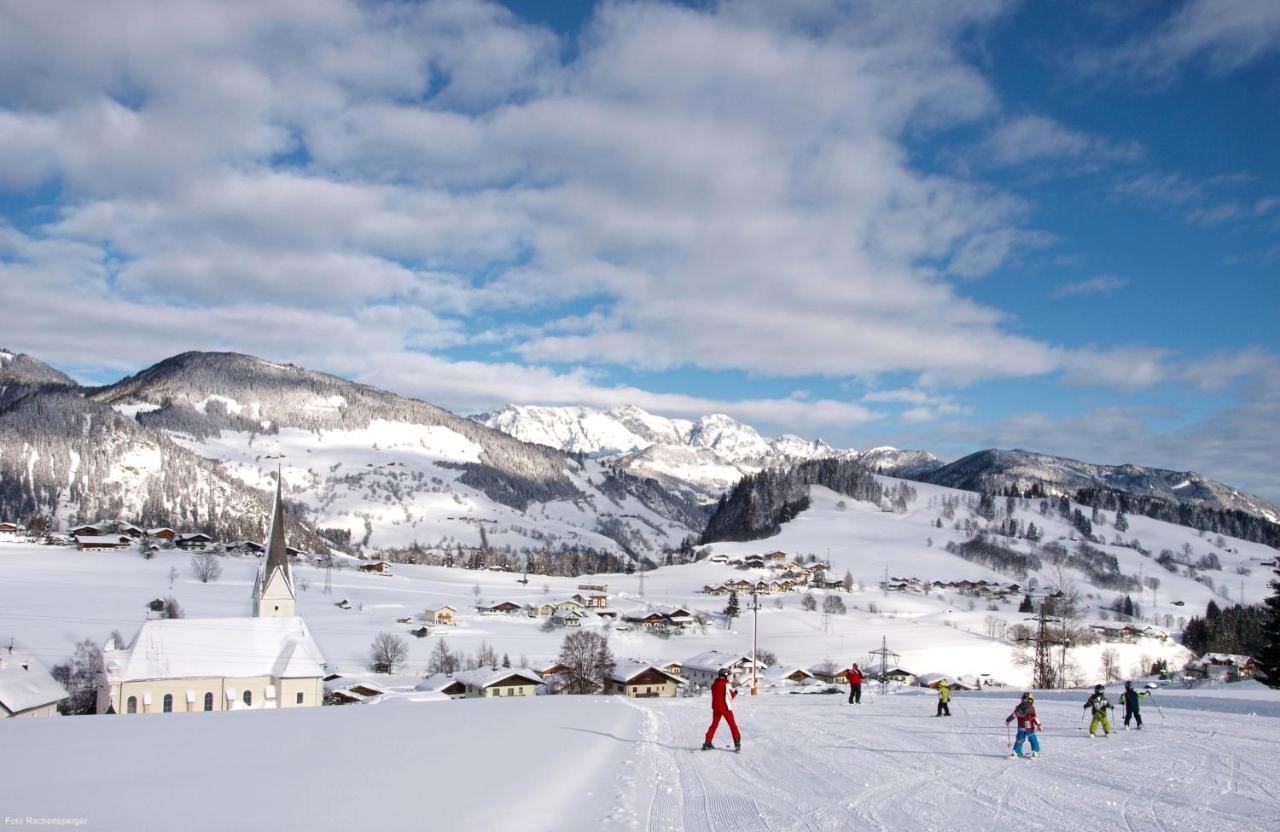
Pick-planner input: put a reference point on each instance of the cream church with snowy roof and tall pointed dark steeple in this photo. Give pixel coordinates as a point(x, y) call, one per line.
point(266, 660)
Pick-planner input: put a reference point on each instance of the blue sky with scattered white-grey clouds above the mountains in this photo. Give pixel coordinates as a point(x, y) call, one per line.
point(948, 226)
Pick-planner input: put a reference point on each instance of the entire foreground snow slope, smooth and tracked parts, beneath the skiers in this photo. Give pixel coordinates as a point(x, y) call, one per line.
point(566, 764)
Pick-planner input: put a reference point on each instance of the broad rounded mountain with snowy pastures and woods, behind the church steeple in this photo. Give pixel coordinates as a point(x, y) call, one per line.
point(388, 473)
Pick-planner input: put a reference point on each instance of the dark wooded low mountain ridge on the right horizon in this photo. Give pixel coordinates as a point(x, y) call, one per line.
point(999, 470)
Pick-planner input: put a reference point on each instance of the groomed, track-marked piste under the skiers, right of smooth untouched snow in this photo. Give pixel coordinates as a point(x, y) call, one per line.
point(811, 765)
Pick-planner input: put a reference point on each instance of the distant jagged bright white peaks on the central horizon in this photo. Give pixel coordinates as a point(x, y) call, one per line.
point(702, 459)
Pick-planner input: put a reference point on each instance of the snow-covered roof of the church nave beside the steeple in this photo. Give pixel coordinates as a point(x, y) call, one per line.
point(195, 648)
